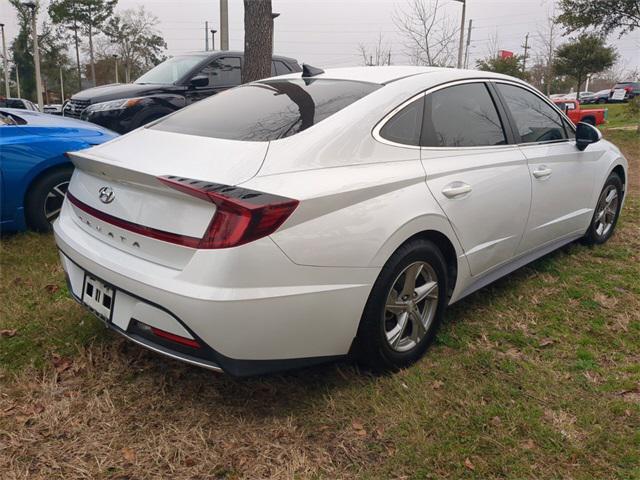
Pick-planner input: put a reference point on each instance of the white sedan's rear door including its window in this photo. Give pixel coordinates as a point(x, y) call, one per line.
point(478, 177)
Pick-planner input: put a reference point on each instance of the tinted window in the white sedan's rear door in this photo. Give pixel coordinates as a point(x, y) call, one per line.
point(461, 116)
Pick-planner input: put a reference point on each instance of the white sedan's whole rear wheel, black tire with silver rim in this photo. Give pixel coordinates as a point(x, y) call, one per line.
point(391, 339)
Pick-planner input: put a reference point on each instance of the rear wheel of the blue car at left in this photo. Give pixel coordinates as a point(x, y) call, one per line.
point(44, 198)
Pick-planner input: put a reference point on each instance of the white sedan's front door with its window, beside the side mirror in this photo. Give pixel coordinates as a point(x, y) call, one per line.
point(562, 177)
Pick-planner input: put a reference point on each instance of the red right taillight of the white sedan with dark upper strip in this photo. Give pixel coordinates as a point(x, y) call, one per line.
point(242, 215)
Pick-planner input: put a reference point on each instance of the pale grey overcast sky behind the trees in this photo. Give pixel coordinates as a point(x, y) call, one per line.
point(327, 33)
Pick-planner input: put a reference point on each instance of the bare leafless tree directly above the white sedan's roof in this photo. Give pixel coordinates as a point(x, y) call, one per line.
point(429, 34)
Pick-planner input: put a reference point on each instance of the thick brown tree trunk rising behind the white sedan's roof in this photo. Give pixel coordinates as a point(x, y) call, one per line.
point(258, 40)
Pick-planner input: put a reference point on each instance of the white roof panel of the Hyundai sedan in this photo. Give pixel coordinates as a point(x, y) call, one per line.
point(388, 74)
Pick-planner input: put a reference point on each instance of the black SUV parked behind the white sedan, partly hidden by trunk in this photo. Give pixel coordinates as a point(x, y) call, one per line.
point(175, 83)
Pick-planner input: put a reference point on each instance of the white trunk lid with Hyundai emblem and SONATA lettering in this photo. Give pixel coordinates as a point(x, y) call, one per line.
point(117, 196)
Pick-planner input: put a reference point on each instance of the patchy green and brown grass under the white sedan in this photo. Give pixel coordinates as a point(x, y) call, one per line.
point(535, 376)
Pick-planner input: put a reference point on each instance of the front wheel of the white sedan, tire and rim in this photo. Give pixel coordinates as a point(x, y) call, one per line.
point(605, 216)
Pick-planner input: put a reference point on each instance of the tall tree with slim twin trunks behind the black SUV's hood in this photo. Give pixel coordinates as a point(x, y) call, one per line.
point(87, 15)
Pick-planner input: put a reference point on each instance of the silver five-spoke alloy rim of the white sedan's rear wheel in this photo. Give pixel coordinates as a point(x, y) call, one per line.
point(411, 306)
